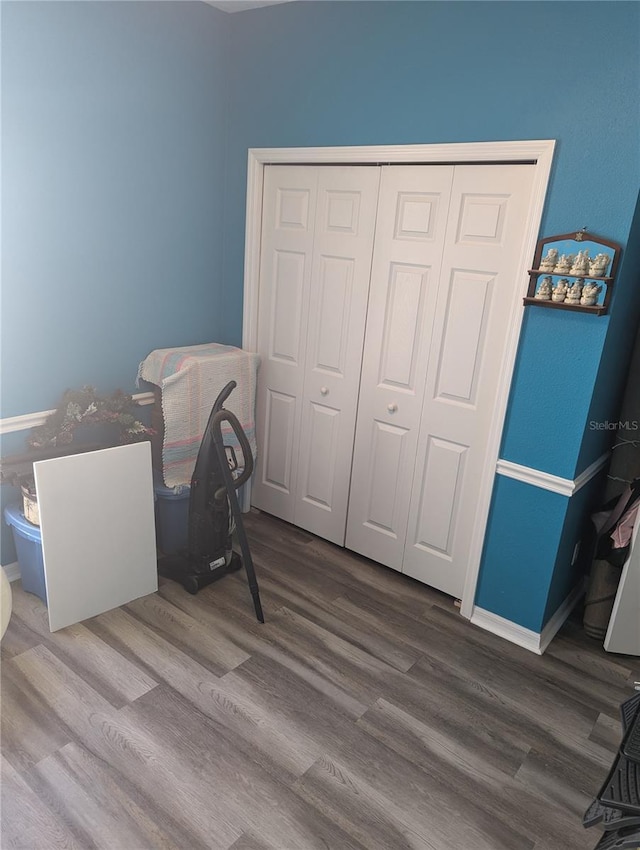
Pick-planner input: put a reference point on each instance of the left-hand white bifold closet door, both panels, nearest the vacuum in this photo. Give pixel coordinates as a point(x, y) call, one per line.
point(317, 241)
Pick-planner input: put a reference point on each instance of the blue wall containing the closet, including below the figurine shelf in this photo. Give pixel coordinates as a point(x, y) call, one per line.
point(392, 73)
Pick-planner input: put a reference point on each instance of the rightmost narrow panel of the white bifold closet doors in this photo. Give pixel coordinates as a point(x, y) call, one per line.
point(478, 293)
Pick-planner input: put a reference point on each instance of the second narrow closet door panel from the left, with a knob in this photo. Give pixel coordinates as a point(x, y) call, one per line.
point(341, 267)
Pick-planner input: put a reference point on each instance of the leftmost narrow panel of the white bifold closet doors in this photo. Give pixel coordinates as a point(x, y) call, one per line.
point(288, 220)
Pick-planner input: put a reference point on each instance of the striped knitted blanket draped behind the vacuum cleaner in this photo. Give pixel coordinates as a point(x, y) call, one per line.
point(190, 379)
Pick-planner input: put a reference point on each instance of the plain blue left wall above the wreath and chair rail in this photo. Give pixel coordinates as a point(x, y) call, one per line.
point(113, 135)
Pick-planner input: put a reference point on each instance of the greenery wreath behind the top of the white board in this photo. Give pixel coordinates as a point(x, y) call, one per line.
point(85, 407)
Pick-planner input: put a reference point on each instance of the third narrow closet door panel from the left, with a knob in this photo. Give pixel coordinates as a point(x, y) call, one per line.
point(409, 243)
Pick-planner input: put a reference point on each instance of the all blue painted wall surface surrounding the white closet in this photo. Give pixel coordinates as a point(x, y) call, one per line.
point(125, 133)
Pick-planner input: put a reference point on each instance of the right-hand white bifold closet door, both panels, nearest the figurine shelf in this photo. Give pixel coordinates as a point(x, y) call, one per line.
point(444, 290)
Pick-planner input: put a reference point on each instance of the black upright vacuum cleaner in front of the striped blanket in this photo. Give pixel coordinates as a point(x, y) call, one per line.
point(214, 512)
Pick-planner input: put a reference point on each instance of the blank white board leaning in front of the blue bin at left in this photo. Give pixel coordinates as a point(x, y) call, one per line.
point(98, 531)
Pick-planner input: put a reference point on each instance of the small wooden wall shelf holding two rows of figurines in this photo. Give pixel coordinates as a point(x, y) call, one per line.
point(573, 272)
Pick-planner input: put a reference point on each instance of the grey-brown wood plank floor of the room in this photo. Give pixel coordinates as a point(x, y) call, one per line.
point(365, 714)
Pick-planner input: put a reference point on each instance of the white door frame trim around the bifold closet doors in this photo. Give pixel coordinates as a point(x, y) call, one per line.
point(539, 151)
